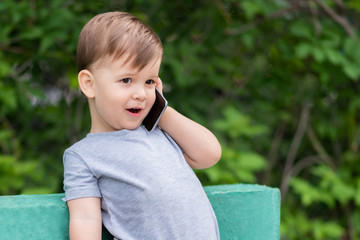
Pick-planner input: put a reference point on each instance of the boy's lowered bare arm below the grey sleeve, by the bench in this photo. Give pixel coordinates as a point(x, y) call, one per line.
point(85, 219)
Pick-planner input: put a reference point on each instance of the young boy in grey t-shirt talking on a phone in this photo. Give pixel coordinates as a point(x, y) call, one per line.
point(139, 184)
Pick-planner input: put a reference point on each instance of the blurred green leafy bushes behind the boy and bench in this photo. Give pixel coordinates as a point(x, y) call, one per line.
point(277, 81)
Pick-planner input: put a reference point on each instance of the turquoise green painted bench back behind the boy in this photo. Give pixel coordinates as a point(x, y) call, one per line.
point(244, 211)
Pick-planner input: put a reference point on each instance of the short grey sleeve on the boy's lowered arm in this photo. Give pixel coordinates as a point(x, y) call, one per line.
point(79, 181)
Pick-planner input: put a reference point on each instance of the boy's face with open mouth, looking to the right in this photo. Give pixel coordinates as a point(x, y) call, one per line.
point(123, 96)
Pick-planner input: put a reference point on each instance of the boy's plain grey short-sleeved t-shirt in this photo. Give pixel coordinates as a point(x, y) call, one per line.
point(148, 190)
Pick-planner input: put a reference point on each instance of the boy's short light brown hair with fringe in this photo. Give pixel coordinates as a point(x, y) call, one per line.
point(115, 34)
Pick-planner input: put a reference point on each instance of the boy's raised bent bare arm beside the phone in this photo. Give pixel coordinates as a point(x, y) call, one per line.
point(201, 148)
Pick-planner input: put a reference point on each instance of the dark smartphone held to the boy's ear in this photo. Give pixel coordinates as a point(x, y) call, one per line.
point(157, 110)
